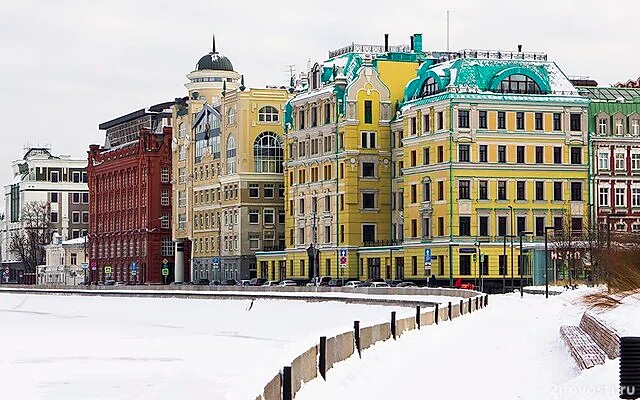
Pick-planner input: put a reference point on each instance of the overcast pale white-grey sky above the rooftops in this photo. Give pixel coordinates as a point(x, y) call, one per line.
point(68, 65)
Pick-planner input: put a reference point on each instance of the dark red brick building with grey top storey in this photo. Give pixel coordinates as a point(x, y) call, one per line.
point(130, 198)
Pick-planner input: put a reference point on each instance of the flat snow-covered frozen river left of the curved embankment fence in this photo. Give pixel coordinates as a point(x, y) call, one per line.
point(76, 347)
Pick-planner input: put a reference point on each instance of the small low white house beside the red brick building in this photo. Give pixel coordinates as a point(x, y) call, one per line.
point(64, 263)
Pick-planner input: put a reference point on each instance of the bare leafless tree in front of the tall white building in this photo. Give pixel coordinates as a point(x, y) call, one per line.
point(35, 232)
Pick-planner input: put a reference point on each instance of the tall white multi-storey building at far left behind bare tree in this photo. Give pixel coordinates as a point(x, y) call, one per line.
point(42, 177)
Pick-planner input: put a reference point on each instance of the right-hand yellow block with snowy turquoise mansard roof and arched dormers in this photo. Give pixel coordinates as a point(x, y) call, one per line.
point(490, 146)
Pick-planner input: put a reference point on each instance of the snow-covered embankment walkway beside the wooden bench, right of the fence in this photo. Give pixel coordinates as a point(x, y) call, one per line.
point(511, 350)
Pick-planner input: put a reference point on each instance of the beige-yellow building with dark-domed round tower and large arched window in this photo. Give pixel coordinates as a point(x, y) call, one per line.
point(228, 199)
